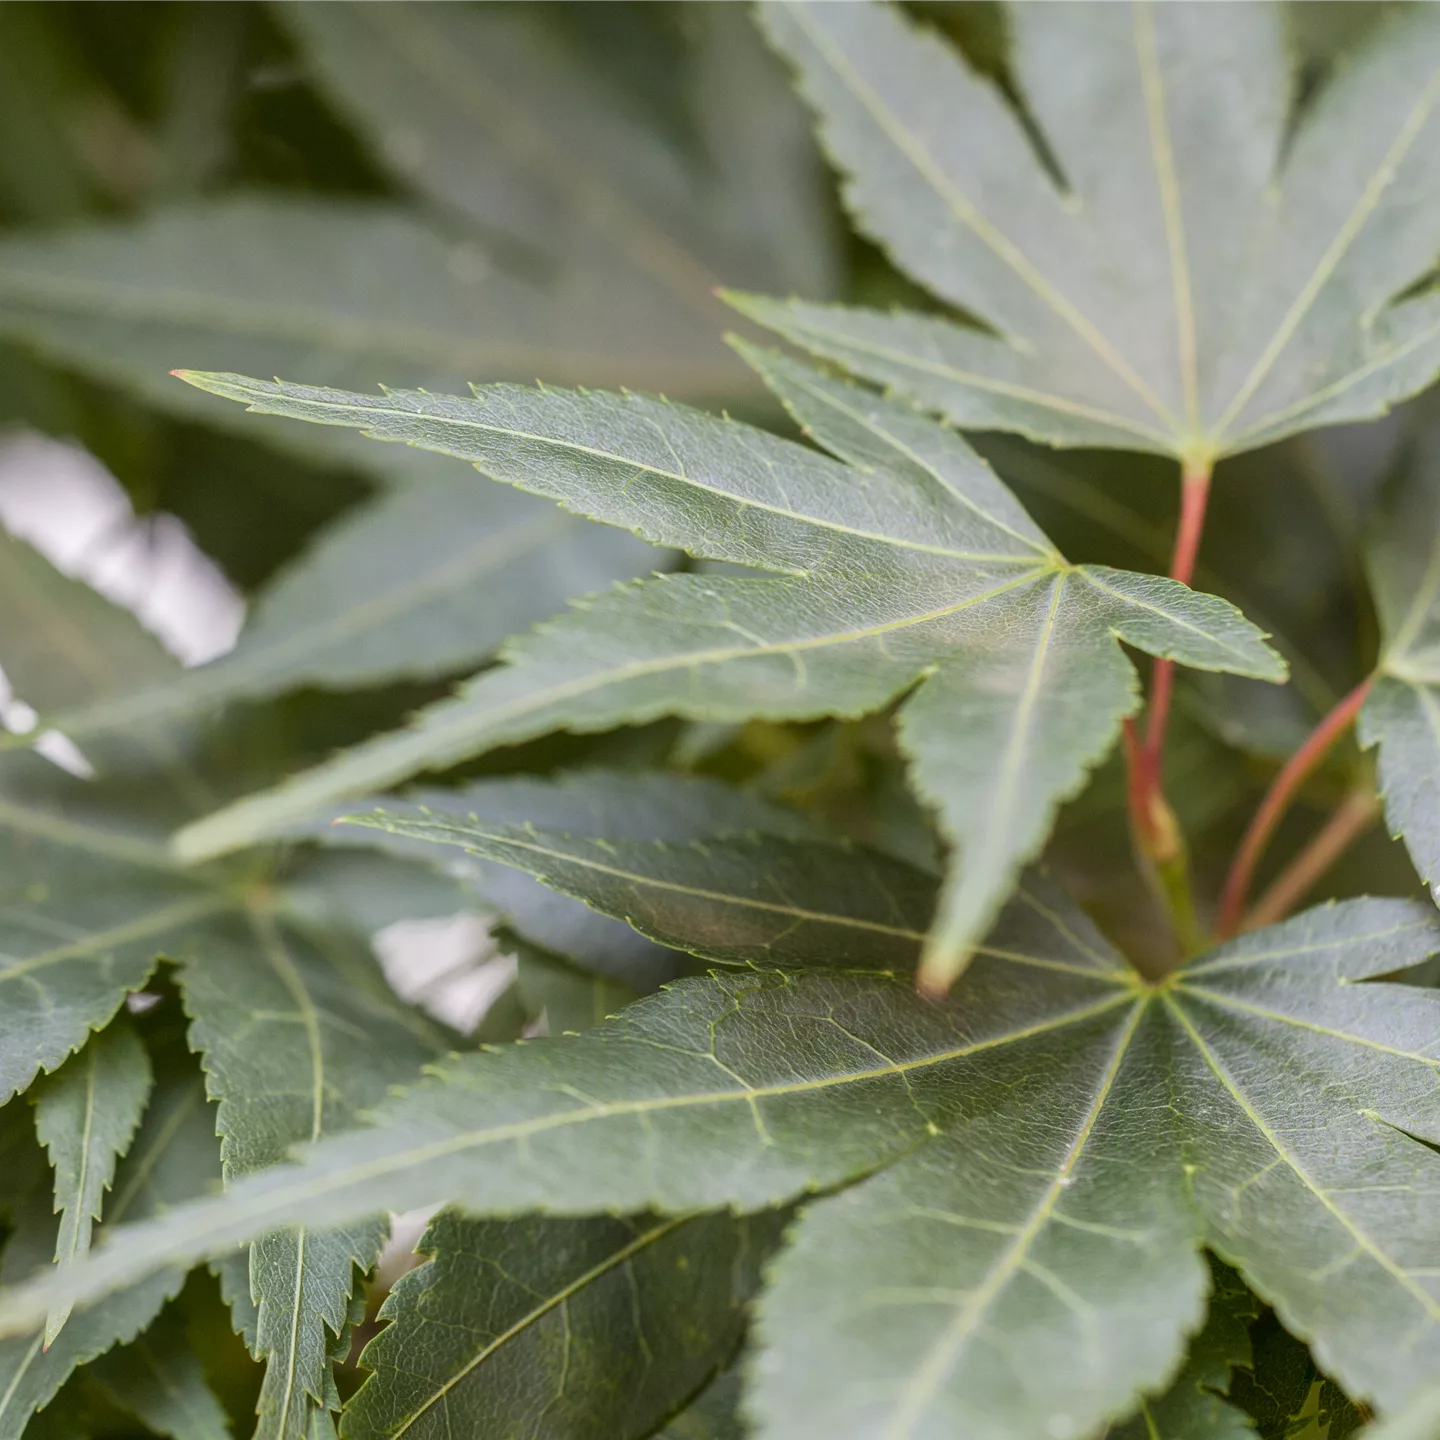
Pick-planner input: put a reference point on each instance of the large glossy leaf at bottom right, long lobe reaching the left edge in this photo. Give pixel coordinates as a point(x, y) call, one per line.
point(1020, 1176)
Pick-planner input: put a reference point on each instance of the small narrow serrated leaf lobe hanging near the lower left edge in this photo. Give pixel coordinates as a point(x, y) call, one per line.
point(86, 1117)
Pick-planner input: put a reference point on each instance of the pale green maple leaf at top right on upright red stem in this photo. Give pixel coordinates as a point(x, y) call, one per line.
point(1179, 269)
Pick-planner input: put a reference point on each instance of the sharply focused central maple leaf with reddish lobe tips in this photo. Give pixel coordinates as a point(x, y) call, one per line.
point(909, 568)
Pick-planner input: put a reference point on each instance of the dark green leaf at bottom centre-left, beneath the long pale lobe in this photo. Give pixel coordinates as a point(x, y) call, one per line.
point(557, 1328)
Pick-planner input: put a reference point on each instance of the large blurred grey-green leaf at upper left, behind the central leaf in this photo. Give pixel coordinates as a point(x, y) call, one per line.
point(496, 123)
